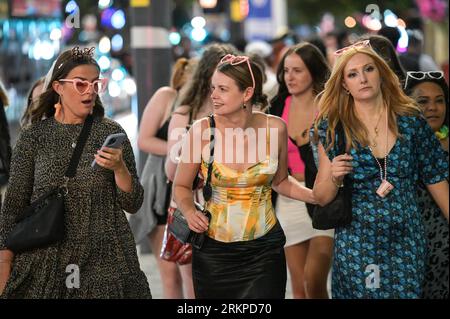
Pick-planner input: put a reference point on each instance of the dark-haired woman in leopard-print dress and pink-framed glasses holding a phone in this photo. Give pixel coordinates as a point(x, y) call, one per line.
point(97, 258)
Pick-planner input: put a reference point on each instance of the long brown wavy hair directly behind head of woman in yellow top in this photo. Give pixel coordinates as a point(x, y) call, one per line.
point(199, 86)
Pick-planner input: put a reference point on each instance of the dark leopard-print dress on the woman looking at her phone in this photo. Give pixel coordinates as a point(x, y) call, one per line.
point(97, 258)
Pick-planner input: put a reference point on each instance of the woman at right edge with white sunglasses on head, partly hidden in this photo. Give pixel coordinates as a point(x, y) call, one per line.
point(430, 91)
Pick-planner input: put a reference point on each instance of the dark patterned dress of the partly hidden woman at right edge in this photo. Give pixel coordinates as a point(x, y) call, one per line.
point(437, 266)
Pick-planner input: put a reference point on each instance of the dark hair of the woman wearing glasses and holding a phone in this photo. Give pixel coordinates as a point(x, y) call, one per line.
point(65, 63)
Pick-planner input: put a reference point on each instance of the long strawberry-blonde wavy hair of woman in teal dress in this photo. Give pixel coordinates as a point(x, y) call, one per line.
point(336, 105)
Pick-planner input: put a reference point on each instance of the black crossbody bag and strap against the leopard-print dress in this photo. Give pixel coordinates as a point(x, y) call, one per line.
point(42, 223)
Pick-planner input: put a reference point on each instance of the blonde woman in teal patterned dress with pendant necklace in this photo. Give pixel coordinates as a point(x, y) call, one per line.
point(390, 148)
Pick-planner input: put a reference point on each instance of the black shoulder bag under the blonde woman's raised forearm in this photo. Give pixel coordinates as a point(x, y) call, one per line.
point(337, 213)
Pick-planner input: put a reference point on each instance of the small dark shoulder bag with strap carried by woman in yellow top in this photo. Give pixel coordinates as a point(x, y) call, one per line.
point(179, 226)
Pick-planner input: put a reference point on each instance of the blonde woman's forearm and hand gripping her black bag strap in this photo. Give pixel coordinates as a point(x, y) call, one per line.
point(330, 175)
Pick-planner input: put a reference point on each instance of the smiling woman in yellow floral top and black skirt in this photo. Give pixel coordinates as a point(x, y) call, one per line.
point(242, 255)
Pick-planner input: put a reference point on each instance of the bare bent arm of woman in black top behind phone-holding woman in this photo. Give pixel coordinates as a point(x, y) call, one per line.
point(152, 119)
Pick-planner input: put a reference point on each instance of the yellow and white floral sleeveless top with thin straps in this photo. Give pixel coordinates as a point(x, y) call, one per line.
point(241, 206)
